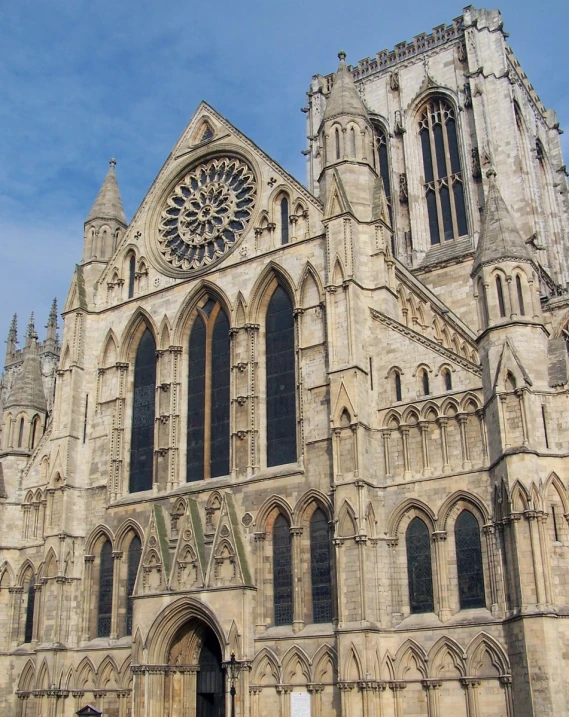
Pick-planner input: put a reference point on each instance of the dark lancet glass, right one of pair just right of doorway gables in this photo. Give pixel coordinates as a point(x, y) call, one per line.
point(320, 568)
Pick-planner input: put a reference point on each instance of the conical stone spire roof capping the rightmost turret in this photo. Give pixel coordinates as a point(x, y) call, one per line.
point(499, 237)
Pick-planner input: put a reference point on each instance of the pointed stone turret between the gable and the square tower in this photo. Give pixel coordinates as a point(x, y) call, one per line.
point(346, 138)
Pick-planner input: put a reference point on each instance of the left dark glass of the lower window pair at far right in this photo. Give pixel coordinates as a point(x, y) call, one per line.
point(419, 568)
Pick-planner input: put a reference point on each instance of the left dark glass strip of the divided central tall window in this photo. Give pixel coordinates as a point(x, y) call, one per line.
point(196, 402)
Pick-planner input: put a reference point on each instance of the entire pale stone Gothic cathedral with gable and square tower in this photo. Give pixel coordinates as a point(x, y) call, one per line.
point(305, 450)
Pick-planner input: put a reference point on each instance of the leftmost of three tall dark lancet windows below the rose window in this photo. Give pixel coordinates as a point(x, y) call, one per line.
point(143, 415)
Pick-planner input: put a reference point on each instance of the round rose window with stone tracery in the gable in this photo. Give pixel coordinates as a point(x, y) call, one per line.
point(206, 213)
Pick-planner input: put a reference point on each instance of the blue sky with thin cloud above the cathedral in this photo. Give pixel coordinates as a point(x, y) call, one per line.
point(82, 81)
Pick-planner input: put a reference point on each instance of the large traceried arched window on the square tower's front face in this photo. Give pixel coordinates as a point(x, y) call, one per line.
point(444, 191)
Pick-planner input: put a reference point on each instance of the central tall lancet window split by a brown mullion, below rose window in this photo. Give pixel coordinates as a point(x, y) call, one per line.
point(208, 394)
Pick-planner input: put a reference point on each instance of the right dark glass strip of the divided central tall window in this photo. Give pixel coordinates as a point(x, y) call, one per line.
point(220, 378)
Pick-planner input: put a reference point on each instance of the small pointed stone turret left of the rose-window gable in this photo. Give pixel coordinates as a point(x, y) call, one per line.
point(105, 222)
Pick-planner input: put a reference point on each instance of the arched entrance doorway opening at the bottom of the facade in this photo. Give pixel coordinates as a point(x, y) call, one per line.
point(195, 680)
